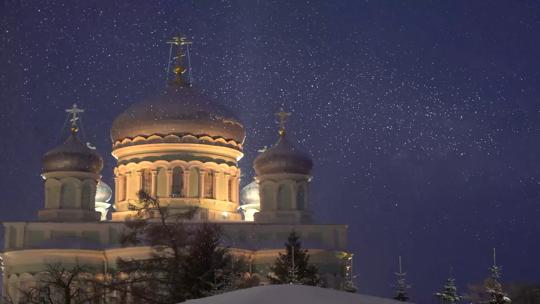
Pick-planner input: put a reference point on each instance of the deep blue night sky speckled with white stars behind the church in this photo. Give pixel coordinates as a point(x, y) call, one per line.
point(422, 117)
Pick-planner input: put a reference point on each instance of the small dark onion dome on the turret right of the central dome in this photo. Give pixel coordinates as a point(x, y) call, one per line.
point(283, 158)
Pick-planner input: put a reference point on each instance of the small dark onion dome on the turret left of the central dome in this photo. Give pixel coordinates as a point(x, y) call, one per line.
point(72, 155)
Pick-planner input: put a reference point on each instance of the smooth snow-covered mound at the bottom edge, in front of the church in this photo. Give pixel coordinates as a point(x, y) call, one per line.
point(291, 294)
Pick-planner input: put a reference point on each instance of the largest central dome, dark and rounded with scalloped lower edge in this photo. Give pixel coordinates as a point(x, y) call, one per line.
point(180, 111)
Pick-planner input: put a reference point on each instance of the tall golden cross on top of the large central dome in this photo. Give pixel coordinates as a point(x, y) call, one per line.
point(179, 69)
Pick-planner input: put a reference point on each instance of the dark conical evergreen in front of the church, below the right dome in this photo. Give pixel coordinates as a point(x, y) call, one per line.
point(293, 266)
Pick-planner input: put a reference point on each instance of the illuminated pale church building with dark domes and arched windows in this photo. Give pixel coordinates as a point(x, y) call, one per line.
point(182, 148)
